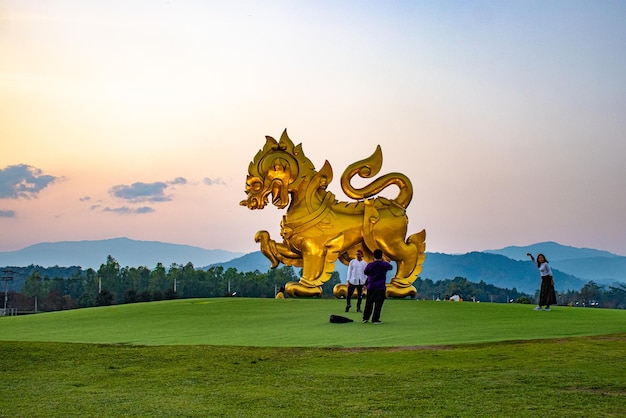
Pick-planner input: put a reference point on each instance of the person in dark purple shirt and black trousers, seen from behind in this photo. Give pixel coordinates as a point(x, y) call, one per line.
point(376, 273)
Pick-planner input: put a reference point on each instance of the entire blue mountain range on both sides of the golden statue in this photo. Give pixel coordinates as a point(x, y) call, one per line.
point(508, 267)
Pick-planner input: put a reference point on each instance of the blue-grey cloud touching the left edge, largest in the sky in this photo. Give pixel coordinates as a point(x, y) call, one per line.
point(23, 180)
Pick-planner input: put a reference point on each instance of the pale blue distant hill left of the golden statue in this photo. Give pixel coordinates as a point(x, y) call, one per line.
point(127, 252)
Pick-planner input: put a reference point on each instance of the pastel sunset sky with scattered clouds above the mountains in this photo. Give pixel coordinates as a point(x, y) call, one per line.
point(138, 119)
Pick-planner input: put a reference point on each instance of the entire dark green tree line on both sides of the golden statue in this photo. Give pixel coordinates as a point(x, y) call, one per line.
point(112, 284)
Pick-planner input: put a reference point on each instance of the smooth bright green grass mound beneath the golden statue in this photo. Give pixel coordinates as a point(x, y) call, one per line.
point(305, 323)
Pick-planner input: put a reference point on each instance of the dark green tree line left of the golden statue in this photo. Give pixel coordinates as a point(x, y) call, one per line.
point(112, 284)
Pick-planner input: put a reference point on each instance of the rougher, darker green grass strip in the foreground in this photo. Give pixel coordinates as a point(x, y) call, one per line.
point(577, 377)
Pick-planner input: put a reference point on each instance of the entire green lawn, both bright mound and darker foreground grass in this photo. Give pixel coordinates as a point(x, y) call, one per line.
point(283, 358)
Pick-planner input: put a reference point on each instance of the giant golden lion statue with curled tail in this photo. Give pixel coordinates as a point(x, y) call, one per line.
point(317, 229)
